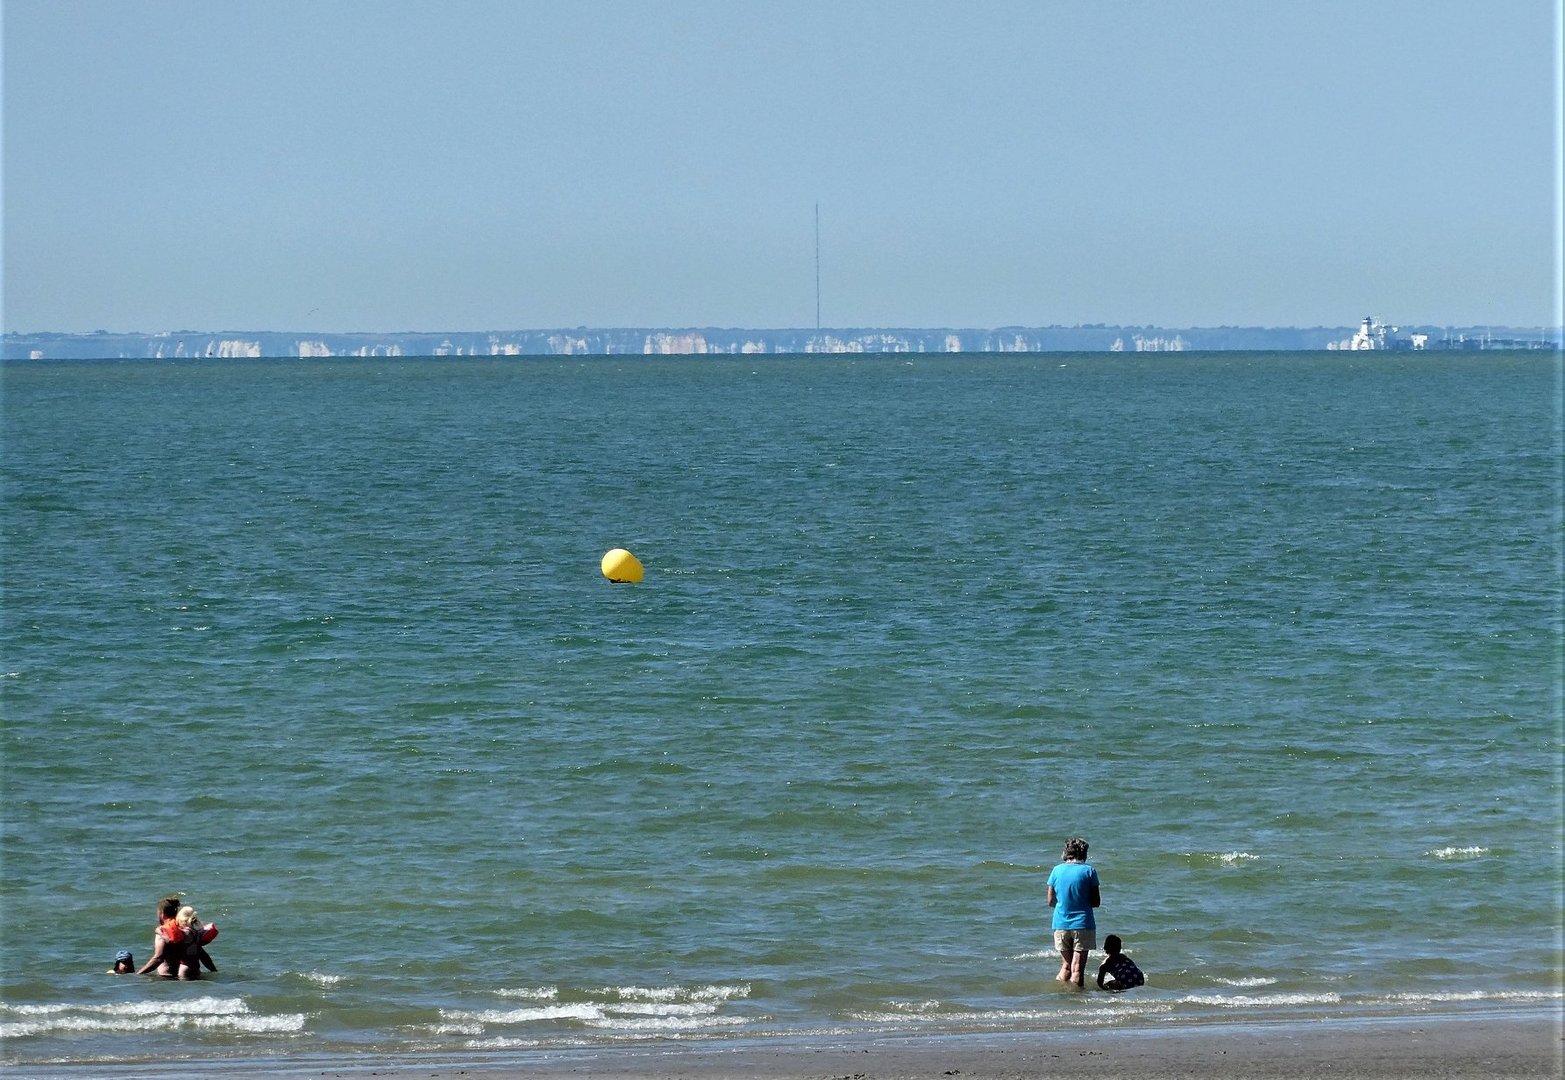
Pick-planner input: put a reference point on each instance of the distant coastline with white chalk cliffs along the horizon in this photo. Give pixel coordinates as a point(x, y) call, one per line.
point(225, 345)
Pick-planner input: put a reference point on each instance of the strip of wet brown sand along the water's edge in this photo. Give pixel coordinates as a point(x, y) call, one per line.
point(1522, 1045)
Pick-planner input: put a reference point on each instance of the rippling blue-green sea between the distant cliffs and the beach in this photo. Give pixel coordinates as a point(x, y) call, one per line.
point(325, 646)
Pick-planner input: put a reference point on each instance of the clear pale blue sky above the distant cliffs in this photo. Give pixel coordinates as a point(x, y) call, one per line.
point(395, 165)
